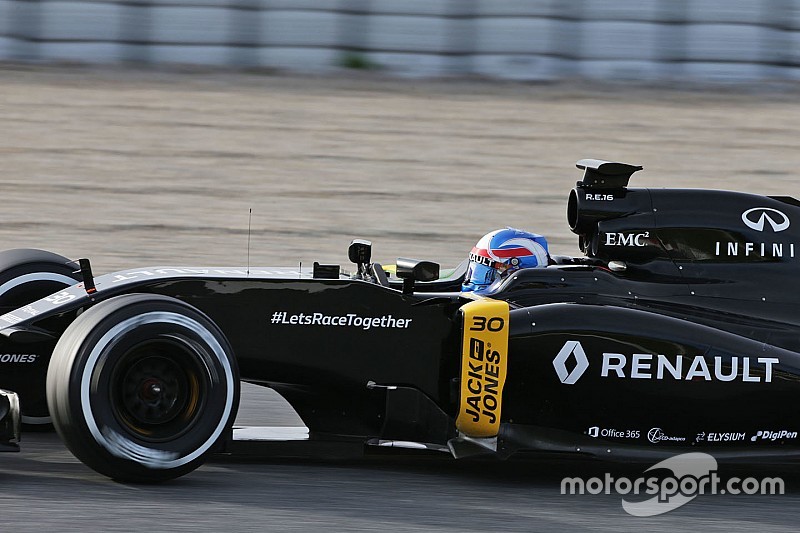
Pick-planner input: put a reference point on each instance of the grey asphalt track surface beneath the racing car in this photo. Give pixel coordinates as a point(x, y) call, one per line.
point(45, 488)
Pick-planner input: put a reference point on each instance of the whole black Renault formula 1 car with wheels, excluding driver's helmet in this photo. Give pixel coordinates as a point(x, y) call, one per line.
point(678, 330)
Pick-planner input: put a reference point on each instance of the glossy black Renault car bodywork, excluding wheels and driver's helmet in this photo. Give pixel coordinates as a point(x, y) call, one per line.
point(677, 331)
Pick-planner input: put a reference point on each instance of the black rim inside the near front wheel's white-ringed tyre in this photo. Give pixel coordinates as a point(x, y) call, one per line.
point(157, 389)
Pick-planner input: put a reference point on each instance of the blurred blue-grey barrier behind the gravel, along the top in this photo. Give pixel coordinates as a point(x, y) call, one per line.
point(512, 39)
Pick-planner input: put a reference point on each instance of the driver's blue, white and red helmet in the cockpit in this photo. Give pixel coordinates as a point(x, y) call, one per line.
point(501, 252)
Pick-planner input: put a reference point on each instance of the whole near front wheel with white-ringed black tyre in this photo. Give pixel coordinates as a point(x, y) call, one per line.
point(142, 387)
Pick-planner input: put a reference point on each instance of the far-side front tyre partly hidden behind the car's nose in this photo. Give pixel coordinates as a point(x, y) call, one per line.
point(27, 275)
